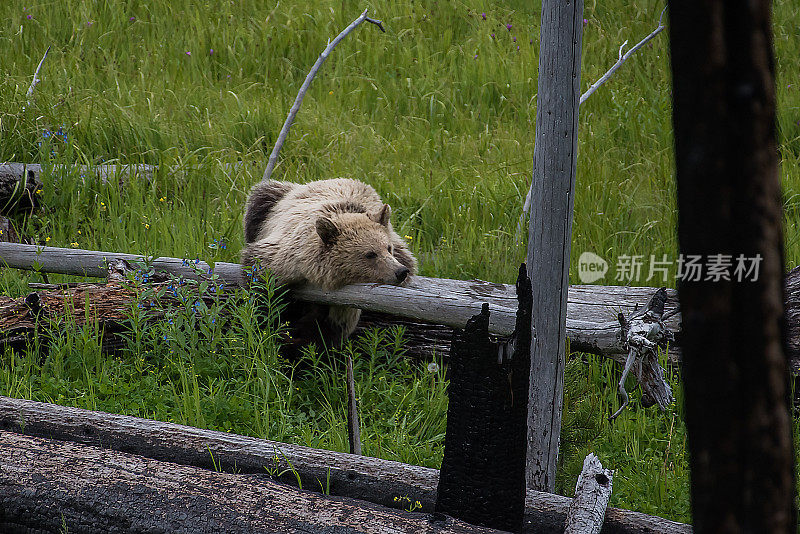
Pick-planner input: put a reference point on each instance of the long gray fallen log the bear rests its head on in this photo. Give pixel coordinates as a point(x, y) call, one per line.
point(591, 310)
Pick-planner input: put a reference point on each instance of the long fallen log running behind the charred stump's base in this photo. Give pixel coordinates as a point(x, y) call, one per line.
point(370, 479)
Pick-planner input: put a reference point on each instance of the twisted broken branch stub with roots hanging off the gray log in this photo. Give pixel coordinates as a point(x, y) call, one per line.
point(643, 333)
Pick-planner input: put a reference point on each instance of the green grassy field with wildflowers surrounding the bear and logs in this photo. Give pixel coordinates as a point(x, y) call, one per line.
point(437, 114)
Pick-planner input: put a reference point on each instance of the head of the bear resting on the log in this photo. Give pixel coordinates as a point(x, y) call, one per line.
point(358, 248)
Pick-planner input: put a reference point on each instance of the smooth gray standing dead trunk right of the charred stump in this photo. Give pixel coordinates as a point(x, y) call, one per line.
point(550, 231)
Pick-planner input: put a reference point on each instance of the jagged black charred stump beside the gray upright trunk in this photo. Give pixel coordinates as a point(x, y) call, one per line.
point(482, 479)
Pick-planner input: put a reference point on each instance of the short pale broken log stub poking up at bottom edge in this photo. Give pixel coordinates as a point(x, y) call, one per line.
point(588, 508)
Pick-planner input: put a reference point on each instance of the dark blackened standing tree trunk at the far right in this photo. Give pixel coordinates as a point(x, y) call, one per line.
point(735, 365)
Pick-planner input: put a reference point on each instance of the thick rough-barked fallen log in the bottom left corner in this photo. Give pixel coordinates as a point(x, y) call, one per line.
point(55, 486)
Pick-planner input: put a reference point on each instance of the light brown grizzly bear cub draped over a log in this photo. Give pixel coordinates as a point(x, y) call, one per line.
point(327, 233)
